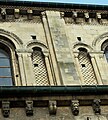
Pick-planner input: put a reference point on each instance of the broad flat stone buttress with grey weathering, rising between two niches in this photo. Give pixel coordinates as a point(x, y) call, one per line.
point(61, 47)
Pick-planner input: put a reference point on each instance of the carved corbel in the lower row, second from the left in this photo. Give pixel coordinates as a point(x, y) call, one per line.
point(29, 108)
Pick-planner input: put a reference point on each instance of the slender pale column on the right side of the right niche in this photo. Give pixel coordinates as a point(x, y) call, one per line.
point(96, 69)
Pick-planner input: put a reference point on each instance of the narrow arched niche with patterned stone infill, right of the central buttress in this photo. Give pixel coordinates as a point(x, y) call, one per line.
point(86, 67)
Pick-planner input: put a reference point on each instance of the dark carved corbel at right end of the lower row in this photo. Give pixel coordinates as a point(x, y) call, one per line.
point(96, 106)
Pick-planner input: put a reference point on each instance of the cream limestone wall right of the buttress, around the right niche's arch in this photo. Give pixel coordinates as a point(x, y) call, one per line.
point(89, 34)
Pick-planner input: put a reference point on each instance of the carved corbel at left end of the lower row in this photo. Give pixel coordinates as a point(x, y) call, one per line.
point(5, 108)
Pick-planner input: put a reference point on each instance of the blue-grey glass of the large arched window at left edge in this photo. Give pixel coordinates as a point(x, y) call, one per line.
point(5, 69)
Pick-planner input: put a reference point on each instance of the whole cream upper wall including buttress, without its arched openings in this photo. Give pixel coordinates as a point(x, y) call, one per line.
point(62, 44)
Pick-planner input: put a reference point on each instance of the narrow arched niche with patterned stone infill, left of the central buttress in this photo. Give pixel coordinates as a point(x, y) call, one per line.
point(39, 67)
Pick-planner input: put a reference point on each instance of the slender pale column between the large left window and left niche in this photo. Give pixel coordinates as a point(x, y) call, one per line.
point(22, 69)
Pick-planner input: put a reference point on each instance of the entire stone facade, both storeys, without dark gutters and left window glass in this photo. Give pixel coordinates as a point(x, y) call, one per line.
point(55, 46)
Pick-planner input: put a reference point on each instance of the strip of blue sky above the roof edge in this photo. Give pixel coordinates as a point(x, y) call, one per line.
point(97, 2)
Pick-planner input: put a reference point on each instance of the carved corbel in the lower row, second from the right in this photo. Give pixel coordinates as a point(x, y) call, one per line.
point(75, 107)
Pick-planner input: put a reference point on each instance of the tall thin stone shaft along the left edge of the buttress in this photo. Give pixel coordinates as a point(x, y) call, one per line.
point(51, 48)
